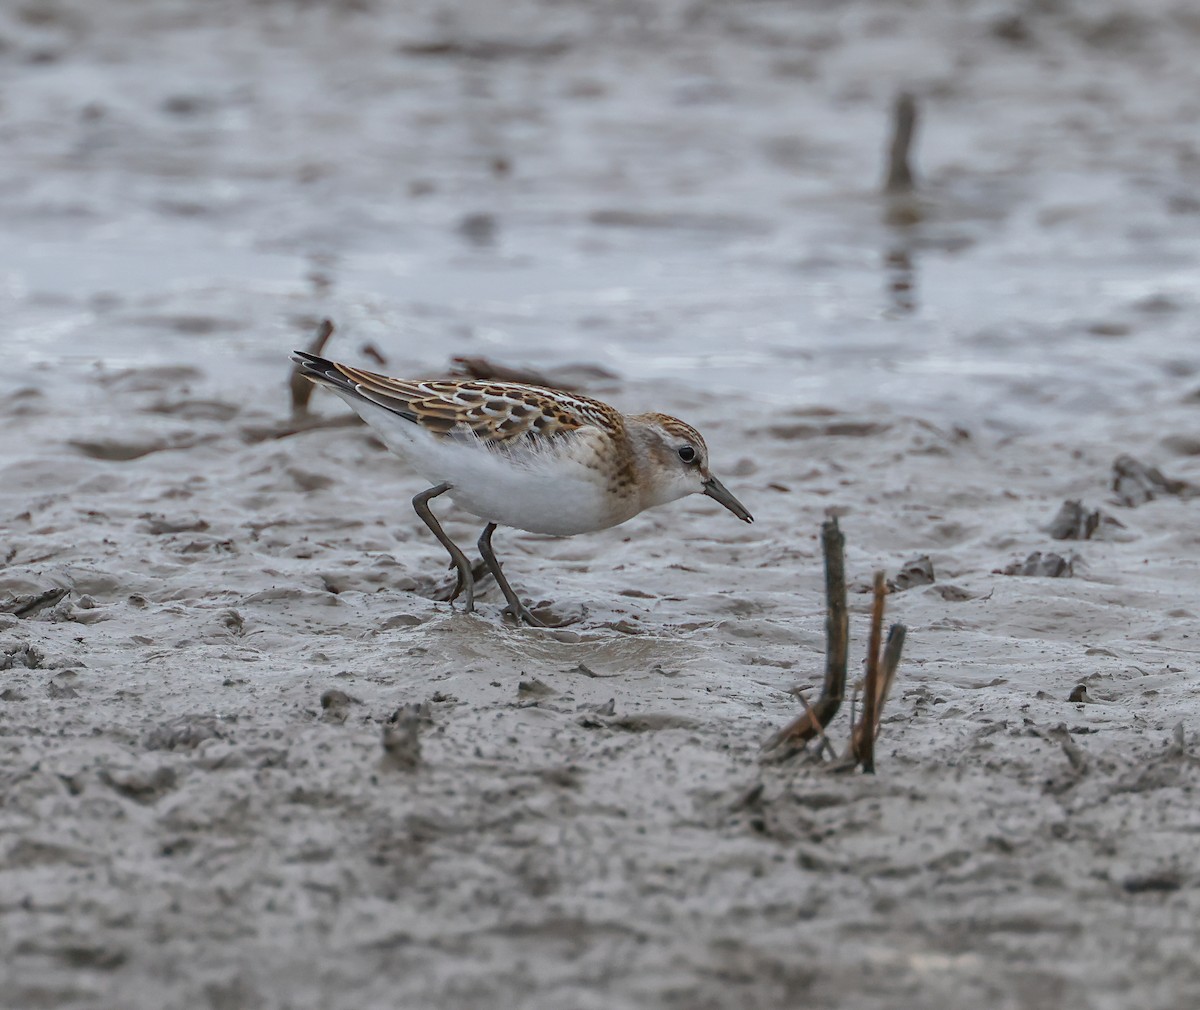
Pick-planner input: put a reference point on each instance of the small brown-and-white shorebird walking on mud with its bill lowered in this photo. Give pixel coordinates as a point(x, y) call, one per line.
point(535, 459)
